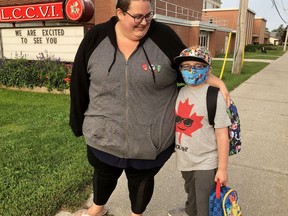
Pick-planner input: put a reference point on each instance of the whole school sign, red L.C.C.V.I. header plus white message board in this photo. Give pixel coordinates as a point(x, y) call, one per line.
point(54, 41)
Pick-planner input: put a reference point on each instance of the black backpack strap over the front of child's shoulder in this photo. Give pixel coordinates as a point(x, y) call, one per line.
point(211, 102)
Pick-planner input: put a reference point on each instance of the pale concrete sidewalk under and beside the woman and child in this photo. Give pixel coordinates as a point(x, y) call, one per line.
point(259, 173)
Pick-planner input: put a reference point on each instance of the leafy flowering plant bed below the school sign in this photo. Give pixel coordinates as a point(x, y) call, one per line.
point(44, 72)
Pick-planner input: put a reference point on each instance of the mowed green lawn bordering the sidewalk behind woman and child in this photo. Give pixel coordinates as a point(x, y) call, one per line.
point(43, 166)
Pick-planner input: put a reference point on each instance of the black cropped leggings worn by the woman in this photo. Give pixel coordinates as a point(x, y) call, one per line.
point(140, 183)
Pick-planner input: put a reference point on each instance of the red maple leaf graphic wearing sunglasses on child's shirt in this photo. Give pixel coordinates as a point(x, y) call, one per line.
point(186, 123)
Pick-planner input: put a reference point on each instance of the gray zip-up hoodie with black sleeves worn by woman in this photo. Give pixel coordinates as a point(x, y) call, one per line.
point(126, 108)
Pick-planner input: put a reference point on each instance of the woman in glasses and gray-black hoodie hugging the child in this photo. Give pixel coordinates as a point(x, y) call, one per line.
point(123, 93)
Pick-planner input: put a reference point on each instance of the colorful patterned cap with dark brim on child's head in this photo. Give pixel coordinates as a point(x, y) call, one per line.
point(194, 53)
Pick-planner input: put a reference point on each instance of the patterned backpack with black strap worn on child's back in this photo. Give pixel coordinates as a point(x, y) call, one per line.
point(234, 129)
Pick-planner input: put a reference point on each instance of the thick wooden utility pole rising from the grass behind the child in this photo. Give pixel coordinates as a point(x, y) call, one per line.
point(240, 37)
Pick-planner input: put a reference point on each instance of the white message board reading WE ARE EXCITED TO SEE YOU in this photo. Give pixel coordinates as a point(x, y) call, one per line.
point(57, 42)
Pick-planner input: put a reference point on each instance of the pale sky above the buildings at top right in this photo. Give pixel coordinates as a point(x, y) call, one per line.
point(265, 9)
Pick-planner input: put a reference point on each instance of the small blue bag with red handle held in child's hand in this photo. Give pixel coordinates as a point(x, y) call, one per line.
point(223, 201)
